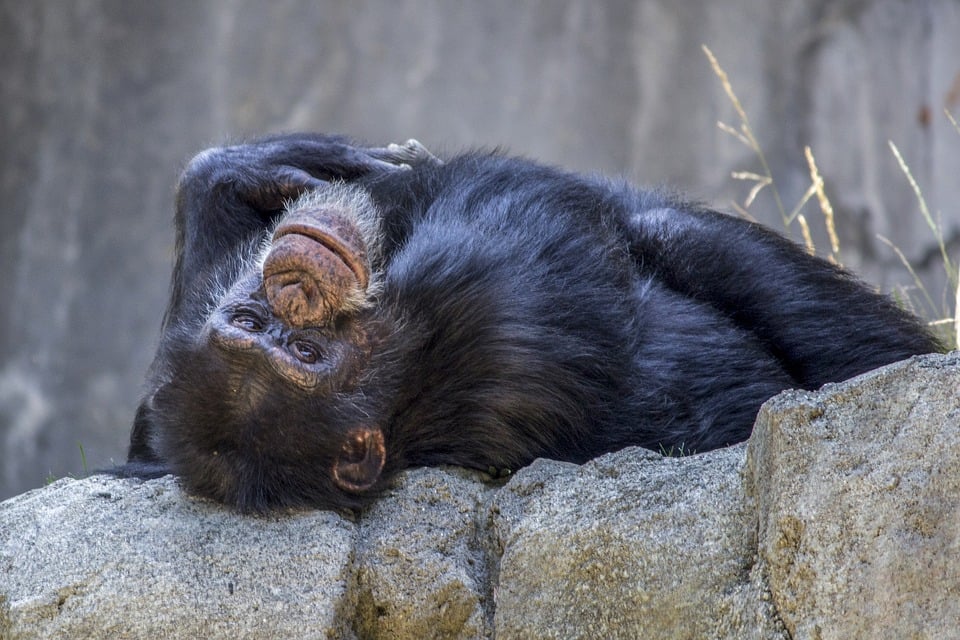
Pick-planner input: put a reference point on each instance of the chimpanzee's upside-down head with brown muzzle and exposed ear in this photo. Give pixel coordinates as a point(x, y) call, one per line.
point(260, 406)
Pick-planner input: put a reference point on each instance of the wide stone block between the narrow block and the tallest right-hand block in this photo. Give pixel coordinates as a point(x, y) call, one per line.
point(631, 545)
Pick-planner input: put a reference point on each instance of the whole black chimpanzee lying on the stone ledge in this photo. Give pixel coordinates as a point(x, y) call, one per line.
point(340, 313)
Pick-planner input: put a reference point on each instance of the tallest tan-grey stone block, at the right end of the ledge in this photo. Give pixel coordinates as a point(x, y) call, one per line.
point(859, 503)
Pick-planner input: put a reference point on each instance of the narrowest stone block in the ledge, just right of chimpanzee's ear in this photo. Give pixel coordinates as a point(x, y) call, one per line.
point(421, 571)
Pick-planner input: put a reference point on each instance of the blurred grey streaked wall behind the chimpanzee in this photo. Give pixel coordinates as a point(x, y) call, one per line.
point(103, 101)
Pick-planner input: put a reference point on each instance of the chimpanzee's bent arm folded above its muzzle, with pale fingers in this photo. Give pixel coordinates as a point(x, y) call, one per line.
point(227, 196)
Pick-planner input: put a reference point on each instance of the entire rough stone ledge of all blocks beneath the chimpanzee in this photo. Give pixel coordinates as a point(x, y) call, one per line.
point(839, 519)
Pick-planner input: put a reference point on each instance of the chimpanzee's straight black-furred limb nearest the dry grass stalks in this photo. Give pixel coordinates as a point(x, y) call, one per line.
point(817, 319)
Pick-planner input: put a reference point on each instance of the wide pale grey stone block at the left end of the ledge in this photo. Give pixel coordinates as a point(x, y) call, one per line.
point(101, 557)
